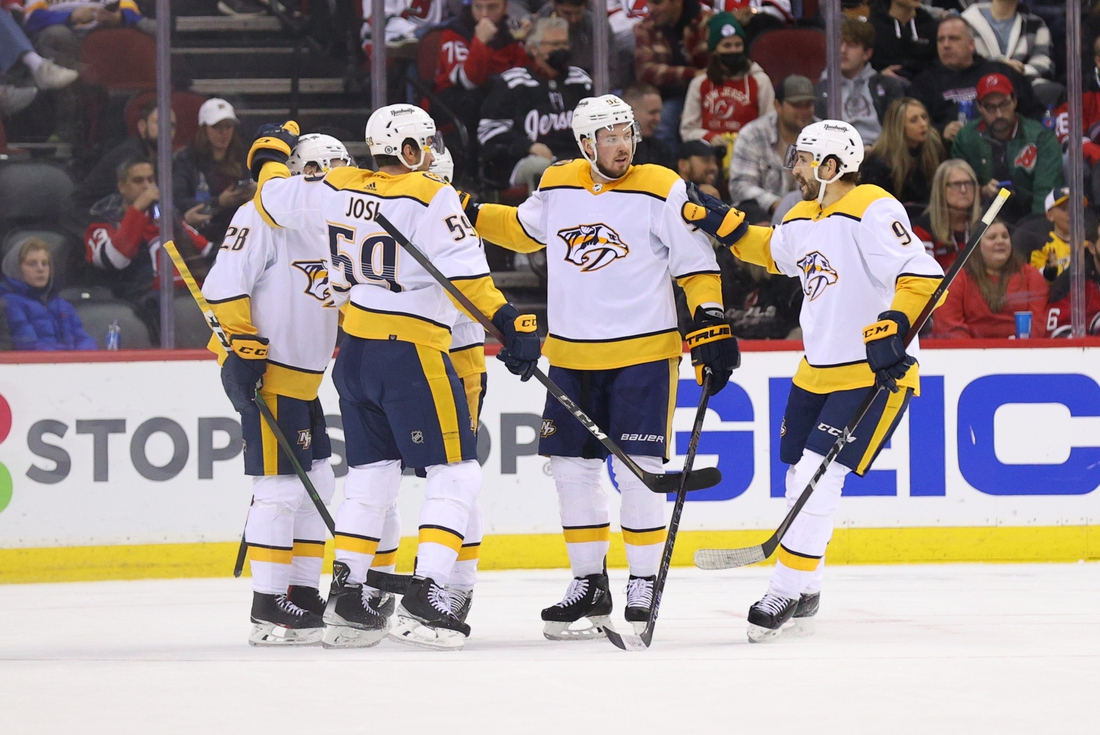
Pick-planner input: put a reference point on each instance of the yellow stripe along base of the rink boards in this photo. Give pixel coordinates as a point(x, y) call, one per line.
point(850, 546)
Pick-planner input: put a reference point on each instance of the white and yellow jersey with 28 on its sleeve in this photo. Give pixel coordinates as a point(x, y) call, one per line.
point(276, 283)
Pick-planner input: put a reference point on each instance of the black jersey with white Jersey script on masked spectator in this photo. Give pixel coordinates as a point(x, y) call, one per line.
point(525, 108)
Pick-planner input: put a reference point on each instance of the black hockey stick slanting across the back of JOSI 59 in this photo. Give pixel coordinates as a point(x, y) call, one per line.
point(658, 484)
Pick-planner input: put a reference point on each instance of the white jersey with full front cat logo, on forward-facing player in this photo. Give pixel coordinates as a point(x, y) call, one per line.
point(612, 253)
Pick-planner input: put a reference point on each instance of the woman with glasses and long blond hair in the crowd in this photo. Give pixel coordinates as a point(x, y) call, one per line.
point(953, 212)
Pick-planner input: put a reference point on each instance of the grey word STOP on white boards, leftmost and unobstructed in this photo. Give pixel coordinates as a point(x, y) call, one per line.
point(42, 441)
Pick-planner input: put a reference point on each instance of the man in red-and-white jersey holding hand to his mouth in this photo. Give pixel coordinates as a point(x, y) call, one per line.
point(124, 242)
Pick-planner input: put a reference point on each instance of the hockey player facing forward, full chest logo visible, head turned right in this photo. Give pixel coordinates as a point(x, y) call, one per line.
point(615, 242)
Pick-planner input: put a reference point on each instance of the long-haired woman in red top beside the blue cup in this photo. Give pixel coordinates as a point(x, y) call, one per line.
point(992, 288)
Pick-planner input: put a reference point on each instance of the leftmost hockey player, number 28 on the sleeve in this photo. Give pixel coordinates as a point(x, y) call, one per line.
point(271, 293)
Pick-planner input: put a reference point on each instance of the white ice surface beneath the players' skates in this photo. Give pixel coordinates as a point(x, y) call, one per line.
point(969, 650)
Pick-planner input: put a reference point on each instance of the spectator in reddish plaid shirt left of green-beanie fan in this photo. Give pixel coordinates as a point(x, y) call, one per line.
point(670, 50)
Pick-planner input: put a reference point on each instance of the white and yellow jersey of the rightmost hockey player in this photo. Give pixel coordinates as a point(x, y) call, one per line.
point(855, 260)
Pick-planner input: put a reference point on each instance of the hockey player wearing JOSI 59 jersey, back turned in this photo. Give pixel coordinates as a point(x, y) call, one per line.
point(401, 400)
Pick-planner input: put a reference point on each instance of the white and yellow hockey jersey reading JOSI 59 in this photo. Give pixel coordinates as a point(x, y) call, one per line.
point(391, 297)
